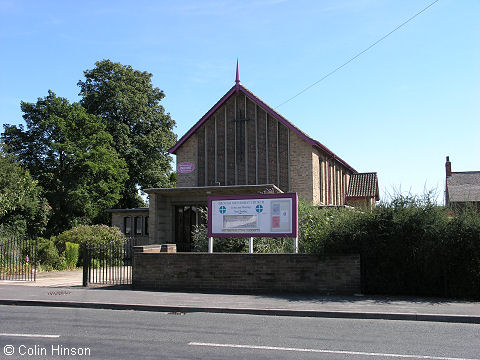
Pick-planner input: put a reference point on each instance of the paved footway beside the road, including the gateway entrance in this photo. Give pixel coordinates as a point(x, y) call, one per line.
point(63, 289)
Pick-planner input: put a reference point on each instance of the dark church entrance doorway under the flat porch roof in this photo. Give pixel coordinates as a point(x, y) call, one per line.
point(186, 217)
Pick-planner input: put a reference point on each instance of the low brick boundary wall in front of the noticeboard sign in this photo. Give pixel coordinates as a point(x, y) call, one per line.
point(247, 273)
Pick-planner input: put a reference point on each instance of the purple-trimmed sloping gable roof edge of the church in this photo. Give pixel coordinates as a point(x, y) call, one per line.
point(240, 88)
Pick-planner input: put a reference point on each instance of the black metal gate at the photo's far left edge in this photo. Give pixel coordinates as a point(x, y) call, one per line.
point(18, 259)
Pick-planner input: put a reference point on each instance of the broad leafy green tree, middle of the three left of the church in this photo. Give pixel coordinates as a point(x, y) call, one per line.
point(69, 152)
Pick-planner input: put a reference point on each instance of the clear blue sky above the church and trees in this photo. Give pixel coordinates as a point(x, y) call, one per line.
point(398, 109)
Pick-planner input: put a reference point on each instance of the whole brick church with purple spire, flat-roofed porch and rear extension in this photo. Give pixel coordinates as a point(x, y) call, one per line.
point(243, 146)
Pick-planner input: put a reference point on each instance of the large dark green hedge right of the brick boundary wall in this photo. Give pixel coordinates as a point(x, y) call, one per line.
point(411, 246)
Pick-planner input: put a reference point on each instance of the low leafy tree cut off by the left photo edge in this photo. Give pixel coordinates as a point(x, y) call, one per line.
point(23, 209)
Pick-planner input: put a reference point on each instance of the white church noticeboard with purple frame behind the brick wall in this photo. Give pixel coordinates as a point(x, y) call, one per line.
point(267, 215)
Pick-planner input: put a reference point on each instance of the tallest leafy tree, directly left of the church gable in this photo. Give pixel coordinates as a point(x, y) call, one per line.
point(142, 132)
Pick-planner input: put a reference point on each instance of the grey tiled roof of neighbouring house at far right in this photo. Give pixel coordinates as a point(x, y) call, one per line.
point(464, 186)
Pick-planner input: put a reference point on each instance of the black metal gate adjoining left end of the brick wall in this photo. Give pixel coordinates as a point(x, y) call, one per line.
point(109, 263)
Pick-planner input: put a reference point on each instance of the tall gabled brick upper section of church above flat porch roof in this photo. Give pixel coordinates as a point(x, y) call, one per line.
point(243, 141)
